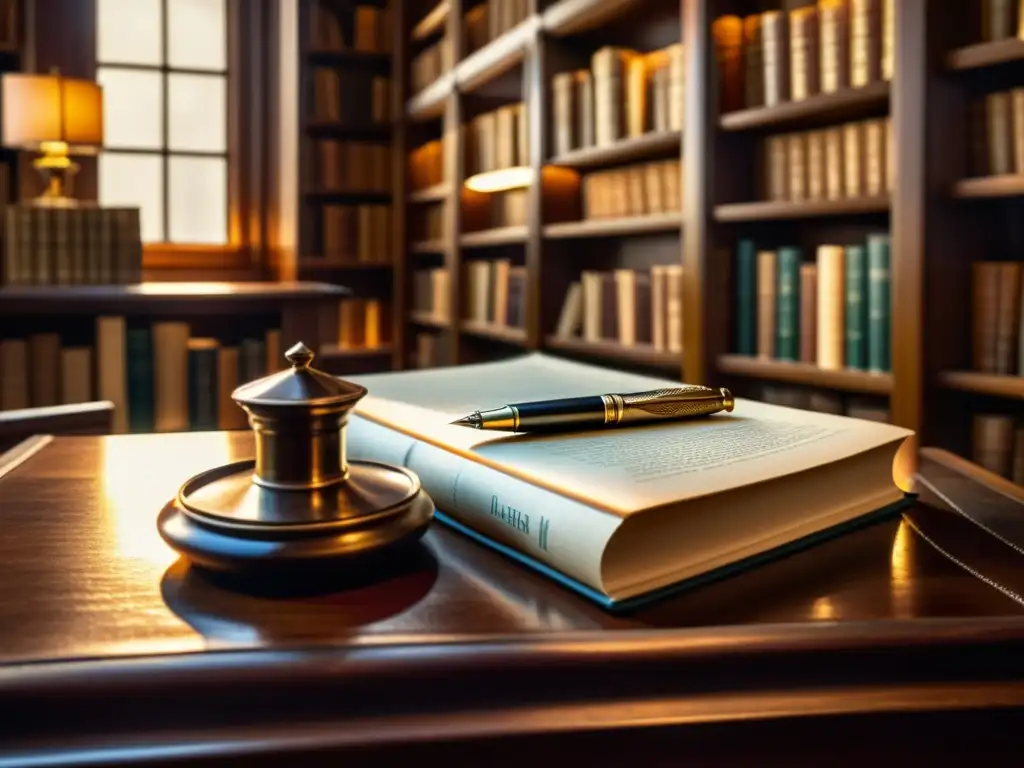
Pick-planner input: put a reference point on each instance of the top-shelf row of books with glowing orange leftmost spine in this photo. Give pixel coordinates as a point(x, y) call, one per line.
point(776, 57)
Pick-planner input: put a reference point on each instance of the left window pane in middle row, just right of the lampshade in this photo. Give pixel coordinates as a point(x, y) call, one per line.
point(134, 107)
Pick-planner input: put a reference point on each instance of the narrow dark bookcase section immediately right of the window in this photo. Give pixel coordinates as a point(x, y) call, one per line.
point(351, 172)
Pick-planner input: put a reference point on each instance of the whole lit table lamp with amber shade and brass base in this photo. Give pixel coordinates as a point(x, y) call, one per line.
point(57, 117)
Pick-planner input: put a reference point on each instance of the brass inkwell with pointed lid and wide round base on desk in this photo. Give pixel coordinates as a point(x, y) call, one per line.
point(300, 503)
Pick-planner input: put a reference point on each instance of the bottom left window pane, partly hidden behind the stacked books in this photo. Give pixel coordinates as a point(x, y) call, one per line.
point(136, 181)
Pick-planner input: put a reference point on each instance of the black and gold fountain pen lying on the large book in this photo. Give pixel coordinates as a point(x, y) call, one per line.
point(603, 411)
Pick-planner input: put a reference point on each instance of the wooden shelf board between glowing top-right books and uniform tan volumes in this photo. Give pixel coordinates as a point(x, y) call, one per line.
point(848, 104)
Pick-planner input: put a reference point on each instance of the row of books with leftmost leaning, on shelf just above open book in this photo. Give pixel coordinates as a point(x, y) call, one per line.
point(627, 308)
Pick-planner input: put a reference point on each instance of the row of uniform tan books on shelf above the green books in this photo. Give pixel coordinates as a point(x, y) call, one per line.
point(848, 161)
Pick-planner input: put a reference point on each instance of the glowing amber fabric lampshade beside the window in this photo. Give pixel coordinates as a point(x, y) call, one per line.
point(51, 108)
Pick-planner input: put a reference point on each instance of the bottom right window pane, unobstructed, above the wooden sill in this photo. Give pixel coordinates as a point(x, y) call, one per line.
point(199, 200)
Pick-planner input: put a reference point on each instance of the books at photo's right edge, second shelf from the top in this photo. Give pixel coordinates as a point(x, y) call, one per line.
point(998, 134)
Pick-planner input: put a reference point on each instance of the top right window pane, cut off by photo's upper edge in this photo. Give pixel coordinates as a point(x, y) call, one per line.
point(197, 34)
